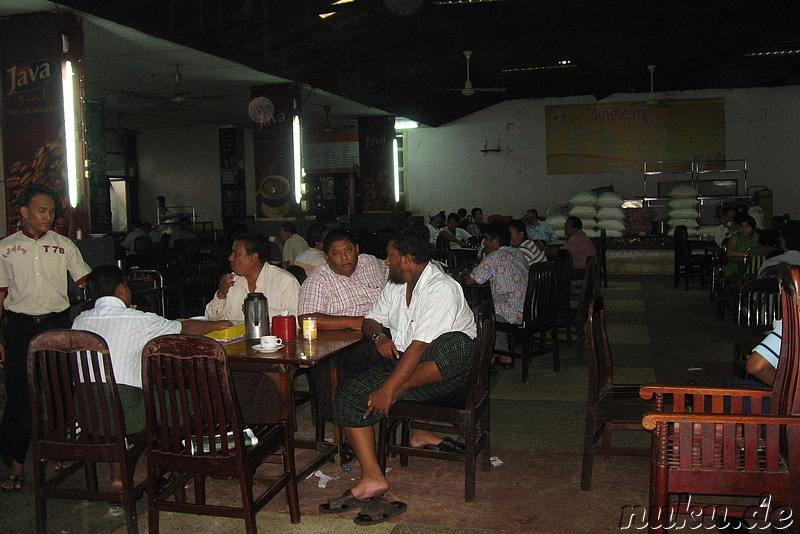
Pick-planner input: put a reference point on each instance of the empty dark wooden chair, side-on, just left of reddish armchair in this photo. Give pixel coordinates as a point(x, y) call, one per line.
point(609, 406)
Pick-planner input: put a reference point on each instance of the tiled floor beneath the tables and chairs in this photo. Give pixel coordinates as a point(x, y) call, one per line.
point(658, 334)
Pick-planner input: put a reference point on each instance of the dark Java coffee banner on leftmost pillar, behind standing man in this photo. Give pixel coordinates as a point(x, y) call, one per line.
point(32, 52)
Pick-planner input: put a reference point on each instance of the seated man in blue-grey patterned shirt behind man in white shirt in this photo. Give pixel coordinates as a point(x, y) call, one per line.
point(507, 269)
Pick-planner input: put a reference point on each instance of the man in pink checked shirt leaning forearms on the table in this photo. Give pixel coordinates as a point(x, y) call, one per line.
point(338, 293)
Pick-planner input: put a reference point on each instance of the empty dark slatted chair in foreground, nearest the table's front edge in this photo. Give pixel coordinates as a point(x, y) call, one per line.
point(191, 407)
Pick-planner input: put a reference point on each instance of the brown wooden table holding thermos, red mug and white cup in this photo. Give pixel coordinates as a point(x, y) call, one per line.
point(282, 365)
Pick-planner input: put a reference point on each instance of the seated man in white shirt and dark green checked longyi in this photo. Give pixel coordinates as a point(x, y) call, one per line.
point(428, 357)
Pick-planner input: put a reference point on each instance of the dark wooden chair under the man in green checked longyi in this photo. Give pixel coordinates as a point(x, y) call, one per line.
point(468, 416)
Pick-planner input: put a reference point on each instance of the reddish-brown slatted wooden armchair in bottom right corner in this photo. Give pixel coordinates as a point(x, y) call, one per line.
point(718, 441)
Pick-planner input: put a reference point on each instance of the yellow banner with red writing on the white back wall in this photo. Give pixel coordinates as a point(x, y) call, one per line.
point(620, 137)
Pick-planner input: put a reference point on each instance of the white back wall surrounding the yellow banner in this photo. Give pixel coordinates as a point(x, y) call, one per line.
point(446, 170)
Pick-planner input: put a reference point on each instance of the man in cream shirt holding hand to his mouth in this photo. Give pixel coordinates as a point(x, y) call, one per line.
point(253, 274)
